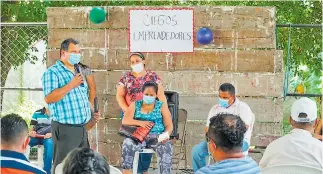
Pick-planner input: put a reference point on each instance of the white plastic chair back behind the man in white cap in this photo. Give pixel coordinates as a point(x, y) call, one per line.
point(291, 169)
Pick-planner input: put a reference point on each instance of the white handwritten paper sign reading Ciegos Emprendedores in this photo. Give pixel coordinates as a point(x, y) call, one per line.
point(161, 30)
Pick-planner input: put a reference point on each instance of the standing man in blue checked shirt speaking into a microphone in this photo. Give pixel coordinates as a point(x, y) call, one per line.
point(66, 93)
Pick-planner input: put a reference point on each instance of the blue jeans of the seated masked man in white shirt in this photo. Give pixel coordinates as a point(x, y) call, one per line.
point(201, 151)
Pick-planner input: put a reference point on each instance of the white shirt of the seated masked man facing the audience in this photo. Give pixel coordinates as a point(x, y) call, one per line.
point(237, 108)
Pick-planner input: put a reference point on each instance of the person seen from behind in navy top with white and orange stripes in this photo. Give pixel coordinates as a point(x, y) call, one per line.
point(14, 142)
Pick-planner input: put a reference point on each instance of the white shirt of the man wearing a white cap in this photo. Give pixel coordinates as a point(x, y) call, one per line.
point(298, 147)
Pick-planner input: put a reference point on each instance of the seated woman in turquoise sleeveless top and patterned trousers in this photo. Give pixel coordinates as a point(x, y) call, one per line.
point(143, 113)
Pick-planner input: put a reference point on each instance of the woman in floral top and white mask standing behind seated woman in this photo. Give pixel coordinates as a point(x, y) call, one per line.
point(129, 90)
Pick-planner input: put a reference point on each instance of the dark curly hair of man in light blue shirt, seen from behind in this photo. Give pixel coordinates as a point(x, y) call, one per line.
point(227, 132)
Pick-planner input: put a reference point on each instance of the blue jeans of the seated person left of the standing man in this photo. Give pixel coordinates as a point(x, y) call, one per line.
point(48, 151)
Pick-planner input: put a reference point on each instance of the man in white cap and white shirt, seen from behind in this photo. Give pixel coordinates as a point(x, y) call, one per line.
point(298, 147)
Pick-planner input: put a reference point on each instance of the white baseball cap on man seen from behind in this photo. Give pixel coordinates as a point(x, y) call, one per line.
point(306, 106)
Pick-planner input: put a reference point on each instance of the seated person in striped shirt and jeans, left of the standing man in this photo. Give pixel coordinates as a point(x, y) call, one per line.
point(41, 135)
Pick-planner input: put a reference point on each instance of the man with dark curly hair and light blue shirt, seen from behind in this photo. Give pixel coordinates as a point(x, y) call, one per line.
point(225, 139)
